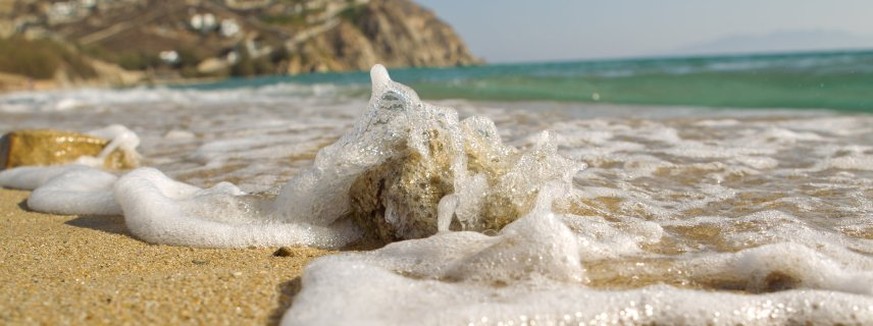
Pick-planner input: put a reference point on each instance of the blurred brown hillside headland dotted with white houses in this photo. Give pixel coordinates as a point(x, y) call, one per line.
point(128, 42)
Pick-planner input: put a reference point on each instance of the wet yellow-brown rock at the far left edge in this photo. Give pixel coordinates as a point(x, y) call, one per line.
point(52, 147)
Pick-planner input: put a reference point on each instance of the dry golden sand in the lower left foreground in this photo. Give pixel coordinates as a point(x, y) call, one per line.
point(89, 270)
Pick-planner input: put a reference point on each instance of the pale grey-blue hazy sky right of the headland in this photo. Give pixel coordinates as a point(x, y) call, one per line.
point(540, 30)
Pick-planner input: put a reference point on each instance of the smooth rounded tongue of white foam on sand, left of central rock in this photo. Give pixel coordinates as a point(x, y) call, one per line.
point(158, 209)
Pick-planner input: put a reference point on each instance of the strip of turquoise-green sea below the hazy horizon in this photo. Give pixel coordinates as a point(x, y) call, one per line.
point(831, 80)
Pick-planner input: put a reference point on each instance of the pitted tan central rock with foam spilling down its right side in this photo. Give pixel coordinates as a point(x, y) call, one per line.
point(399, 199)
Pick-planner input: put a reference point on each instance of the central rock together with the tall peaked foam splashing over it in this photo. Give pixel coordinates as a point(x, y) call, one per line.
point(404, 157)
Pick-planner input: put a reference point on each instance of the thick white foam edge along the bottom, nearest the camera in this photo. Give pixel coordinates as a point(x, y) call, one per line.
point(407, 282)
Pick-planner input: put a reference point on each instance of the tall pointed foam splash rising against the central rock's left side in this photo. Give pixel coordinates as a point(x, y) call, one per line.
point(319, 195)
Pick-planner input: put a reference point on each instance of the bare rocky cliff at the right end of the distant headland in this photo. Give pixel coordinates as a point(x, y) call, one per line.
point(397, 33)
